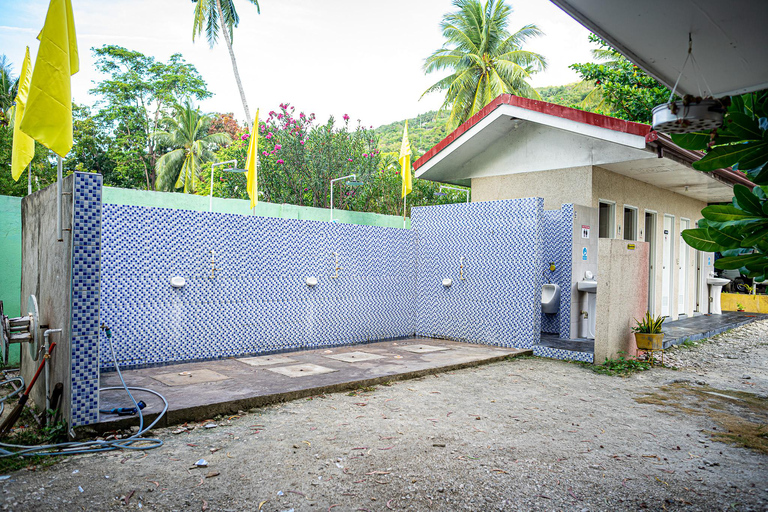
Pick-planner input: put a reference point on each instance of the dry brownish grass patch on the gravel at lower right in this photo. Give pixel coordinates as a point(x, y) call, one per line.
point(741, 417)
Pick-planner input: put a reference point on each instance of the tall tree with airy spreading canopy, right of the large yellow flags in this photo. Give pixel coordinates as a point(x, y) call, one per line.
point(139, 92)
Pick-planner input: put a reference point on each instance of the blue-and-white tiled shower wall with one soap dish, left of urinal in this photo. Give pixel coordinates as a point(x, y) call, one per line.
point(499, 300)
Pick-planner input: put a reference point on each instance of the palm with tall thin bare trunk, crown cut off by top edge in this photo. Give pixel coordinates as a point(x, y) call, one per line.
point(209, 15)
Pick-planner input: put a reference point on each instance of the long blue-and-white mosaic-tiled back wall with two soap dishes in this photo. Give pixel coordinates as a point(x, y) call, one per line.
point(257, 300)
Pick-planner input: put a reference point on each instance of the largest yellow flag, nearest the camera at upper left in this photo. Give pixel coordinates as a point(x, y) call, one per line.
point(48, 114)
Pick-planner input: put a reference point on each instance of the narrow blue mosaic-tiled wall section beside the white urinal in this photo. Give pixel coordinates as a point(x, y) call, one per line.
point(557, 247)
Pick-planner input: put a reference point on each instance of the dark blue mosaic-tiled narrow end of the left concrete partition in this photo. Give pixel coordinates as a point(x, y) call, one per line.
point(85, 298)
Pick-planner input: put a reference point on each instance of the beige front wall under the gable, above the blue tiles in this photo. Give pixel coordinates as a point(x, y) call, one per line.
point(557, 187)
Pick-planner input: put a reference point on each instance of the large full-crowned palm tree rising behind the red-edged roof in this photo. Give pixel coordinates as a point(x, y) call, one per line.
point(485, 59)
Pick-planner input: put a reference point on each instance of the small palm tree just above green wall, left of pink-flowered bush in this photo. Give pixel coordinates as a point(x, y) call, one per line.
point(193, 146)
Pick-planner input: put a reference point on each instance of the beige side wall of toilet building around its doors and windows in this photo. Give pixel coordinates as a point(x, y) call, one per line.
point(623, 191)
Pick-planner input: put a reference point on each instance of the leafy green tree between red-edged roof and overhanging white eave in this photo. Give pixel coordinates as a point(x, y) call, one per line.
point(621, 89)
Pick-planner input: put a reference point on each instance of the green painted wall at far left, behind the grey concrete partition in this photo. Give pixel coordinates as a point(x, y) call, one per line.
point(10, 256)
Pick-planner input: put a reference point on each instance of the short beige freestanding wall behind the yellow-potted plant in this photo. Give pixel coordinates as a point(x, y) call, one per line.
point(622, 292)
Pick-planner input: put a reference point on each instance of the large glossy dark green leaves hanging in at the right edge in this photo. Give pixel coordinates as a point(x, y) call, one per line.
point(739, 231)
